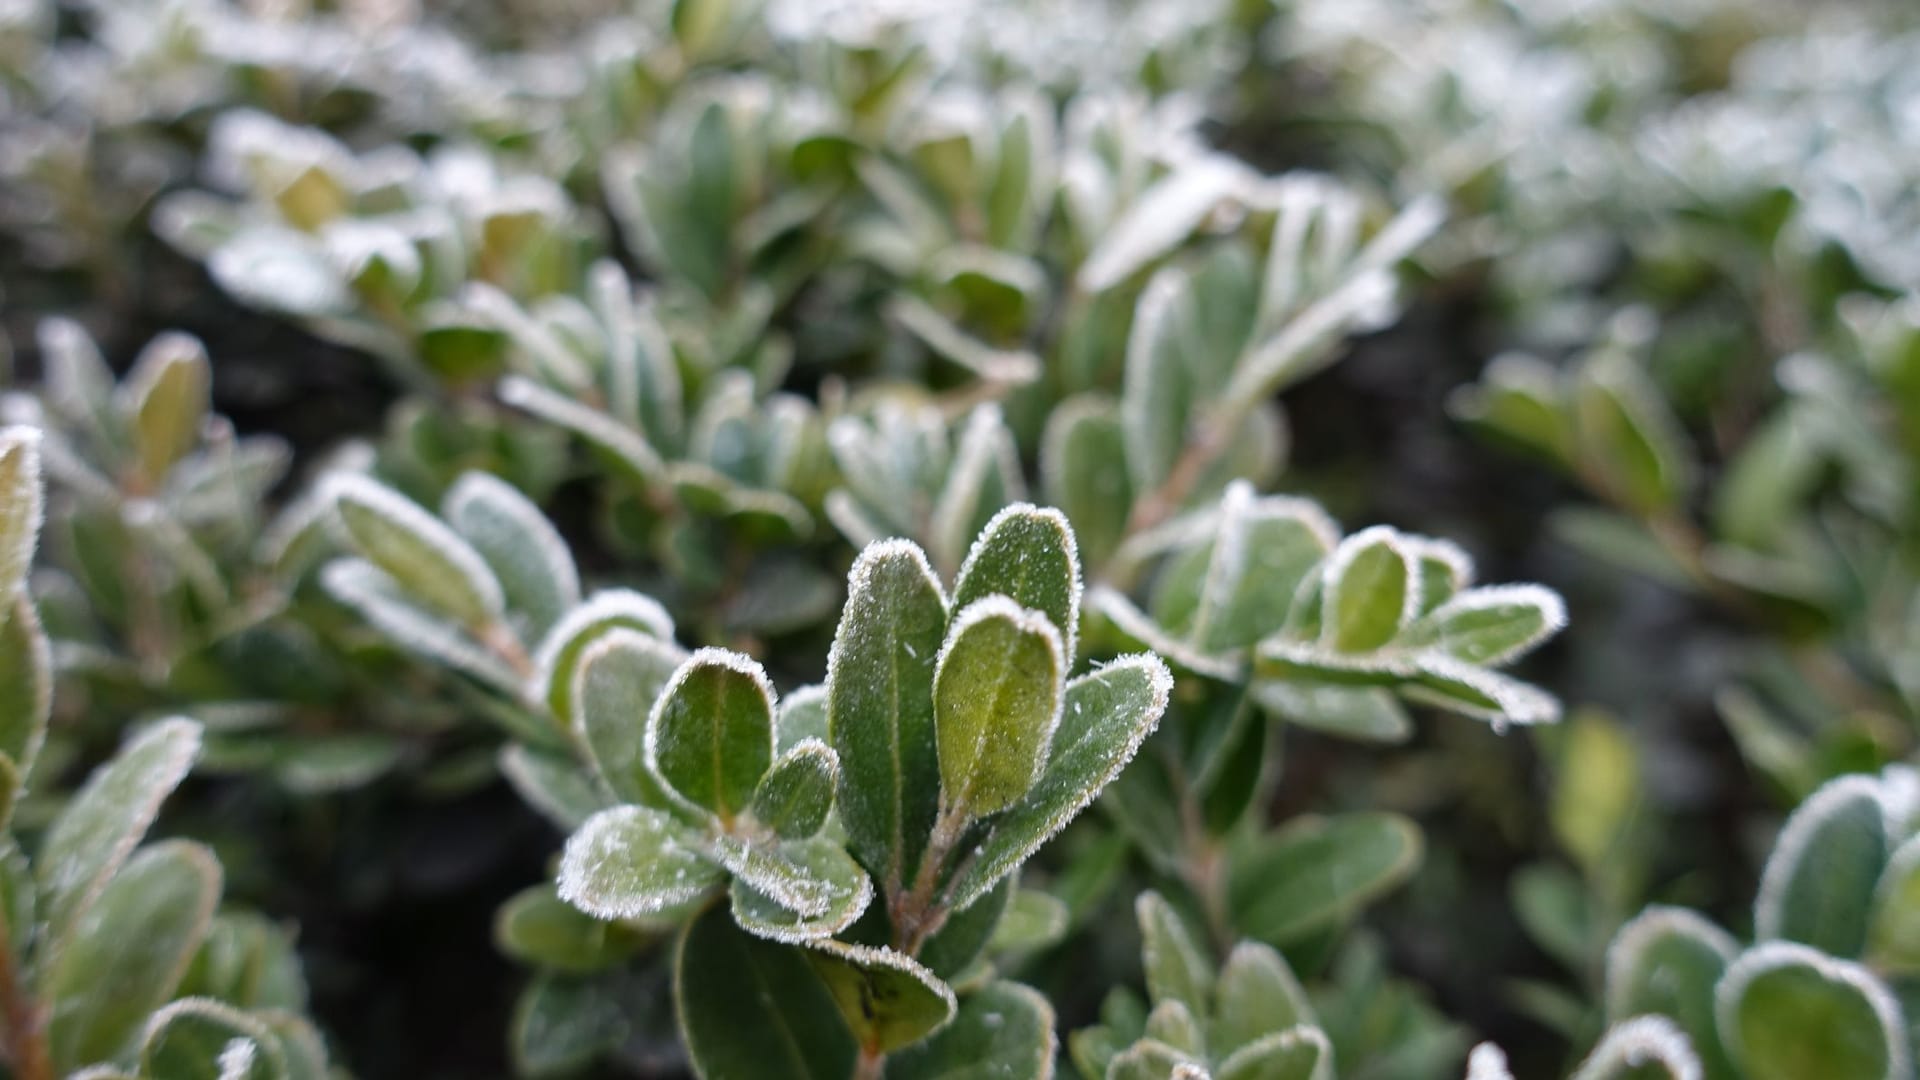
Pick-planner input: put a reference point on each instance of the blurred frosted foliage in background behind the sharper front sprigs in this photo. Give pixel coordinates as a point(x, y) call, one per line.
point(1656, 345)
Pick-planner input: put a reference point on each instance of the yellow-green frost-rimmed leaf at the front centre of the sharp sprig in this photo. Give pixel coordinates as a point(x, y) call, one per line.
point(997, 695)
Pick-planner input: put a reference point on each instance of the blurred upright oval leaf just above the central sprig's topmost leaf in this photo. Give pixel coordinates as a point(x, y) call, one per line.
point(1084, 472)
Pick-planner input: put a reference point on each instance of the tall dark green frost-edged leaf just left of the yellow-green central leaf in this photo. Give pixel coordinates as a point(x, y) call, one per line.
point(880, 708)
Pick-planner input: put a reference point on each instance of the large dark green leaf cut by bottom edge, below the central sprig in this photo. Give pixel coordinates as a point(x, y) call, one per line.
point(729, 983)
